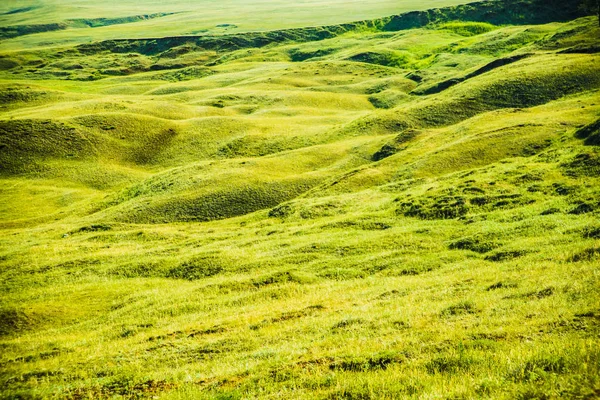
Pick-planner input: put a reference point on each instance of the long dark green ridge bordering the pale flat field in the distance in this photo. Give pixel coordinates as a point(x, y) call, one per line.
point(493, 11)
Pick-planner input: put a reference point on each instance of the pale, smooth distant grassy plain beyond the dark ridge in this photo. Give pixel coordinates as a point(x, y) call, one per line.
point(58, 22)
